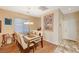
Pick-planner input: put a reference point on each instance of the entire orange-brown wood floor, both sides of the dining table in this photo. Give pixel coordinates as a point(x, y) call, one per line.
point(48, 48)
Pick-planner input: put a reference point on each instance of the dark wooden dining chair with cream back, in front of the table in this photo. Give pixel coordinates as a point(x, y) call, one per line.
point(23, 45)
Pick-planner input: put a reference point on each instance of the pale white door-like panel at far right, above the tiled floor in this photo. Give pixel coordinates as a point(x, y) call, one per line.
point(69, 28)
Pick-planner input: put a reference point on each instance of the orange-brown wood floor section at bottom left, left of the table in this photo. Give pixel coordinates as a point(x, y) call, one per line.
point(12, 48)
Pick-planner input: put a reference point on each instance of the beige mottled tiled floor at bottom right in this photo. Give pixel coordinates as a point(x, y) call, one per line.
point(68, 46)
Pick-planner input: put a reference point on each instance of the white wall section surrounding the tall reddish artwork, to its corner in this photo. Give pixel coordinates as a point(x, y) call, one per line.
point(53, 36)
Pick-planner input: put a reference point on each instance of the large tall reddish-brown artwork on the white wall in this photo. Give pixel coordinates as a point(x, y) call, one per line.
point(48, 22)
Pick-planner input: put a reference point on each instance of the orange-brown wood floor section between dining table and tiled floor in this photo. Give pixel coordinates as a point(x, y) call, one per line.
point(48, 48)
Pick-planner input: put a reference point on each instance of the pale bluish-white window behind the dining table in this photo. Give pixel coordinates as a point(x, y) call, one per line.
point(20, 26)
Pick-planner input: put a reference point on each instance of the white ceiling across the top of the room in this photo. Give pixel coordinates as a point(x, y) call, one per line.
point(37, 11)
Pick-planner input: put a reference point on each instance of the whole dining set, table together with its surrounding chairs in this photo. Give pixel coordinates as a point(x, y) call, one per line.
point(25, 43)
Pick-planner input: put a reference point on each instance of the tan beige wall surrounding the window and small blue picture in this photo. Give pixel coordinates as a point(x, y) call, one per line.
point(13, 15)
